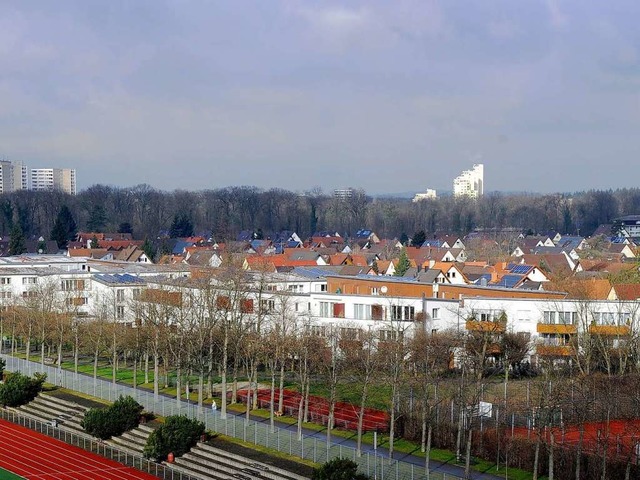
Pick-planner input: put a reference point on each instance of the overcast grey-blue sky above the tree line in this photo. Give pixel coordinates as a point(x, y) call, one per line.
point(389, 96)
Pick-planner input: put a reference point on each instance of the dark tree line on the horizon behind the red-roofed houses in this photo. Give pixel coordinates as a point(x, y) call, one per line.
point(224, 212)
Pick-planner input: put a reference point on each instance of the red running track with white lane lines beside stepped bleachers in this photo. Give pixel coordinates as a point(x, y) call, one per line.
point(38, 457)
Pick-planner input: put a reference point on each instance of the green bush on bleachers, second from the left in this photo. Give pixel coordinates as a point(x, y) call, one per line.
point(109, 422)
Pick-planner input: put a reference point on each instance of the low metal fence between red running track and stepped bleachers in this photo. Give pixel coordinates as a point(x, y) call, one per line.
point(90, 444)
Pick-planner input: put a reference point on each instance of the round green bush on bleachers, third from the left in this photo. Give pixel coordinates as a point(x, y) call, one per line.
point(177, 435)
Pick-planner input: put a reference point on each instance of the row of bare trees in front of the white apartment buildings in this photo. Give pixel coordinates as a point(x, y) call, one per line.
point(213, 335)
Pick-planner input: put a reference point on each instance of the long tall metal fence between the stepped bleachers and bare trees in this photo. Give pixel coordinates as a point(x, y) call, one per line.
point(310, 447)
